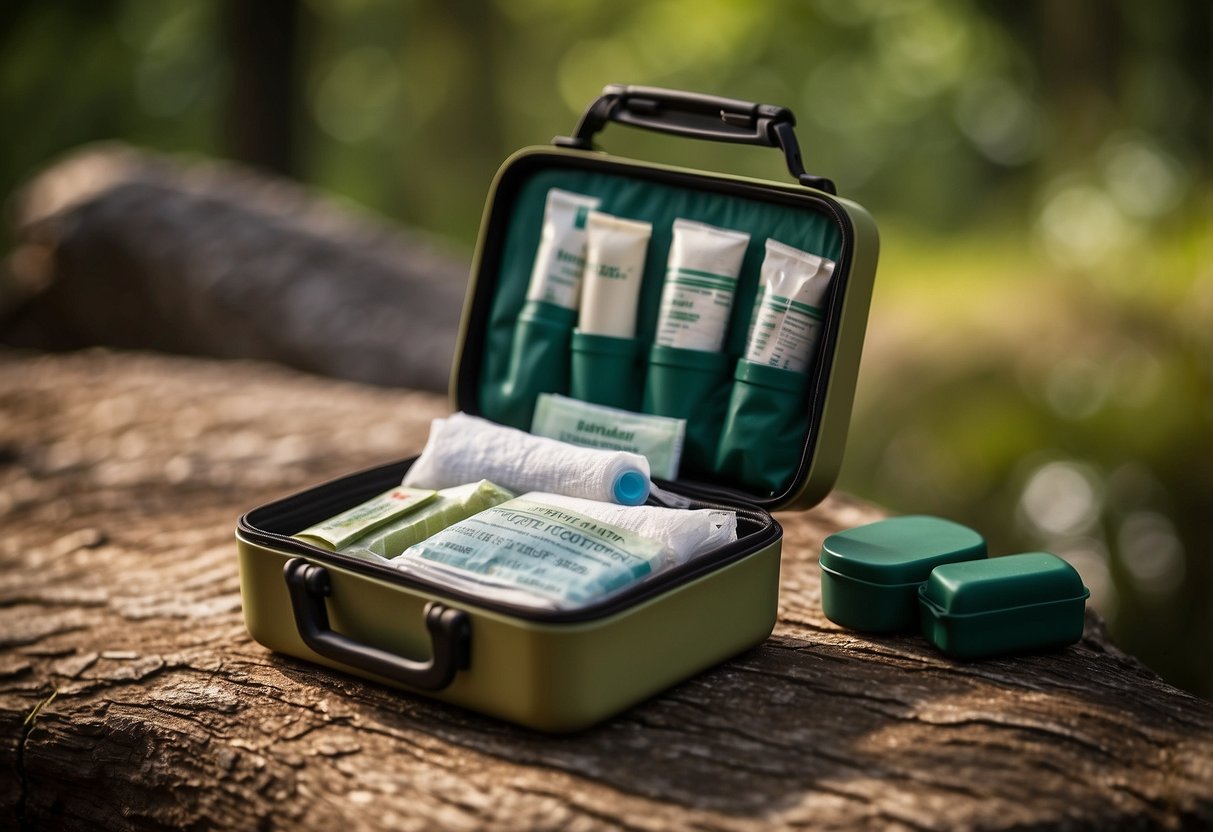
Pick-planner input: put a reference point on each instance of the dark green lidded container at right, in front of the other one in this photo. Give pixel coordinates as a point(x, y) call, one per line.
point(1018, 603)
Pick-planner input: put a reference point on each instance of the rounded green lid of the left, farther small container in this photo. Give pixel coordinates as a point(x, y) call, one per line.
point(901, 550)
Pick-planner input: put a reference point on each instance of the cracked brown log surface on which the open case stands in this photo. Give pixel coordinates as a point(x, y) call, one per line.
point(133, 698)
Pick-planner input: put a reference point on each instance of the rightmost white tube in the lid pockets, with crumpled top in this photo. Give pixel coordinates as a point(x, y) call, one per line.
point(789, 315)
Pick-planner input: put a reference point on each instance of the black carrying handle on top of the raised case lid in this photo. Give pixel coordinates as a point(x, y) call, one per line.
point(696, 116)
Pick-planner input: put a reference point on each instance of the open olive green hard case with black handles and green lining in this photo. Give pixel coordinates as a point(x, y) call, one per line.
point(561, 671)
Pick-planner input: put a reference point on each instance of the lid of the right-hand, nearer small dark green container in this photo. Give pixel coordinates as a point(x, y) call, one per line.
point(1005, 583)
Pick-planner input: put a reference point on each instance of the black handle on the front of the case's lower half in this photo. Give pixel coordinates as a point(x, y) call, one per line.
point(449, 632)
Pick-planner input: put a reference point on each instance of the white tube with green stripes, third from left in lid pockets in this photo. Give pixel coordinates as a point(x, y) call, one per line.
point(702, 281)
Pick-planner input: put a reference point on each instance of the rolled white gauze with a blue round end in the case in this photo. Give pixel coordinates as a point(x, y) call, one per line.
point(465, 449)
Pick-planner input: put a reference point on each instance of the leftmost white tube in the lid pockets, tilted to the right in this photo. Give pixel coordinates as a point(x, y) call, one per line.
point(556, 277)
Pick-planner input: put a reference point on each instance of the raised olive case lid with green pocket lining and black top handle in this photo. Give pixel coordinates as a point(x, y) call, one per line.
point(512, 347)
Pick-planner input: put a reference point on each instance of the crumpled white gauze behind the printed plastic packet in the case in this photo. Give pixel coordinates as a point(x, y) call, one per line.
point(685, 533)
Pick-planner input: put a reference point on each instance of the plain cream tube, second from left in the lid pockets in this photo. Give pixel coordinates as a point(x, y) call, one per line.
point(616, 253)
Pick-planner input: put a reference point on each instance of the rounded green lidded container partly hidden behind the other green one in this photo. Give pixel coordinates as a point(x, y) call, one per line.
point(870, 575)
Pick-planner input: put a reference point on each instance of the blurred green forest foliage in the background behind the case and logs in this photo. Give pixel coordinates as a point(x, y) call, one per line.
point(1040, 360)
